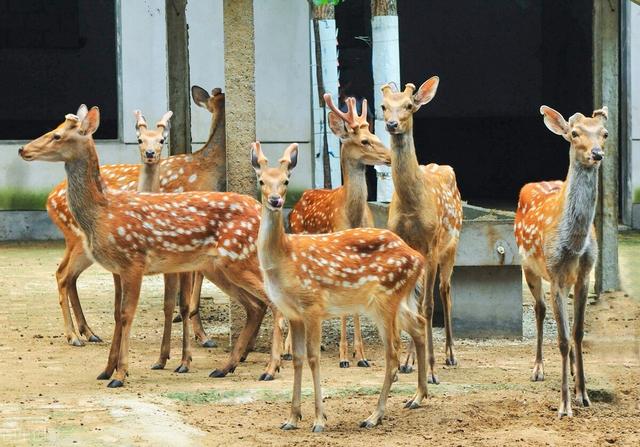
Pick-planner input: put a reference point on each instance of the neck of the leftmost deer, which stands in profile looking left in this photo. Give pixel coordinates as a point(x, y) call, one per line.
point(85, 190)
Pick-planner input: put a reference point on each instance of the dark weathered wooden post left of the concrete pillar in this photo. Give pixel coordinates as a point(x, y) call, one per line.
point(178, 76)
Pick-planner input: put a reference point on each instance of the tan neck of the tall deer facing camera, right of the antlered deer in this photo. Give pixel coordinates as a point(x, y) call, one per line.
point(405, 169)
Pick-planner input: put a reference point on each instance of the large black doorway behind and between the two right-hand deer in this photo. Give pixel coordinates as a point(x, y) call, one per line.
point(498, 62)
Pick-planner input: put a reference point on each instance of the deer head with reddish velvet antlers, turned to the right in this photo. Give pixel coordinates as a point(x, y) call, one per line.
point(358, 143)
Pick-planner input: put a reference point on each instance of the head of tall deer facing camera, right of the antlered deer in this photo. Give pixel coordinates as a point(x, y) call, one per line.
point(398, 107)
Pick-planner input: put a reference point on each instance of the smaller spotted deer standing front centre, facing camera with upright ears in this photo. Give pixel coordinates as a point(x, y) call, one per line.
point(314, 277)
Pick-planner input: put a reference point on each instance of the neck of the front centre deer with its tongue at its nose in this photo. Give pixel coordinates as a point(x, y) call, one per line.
point(272, 240)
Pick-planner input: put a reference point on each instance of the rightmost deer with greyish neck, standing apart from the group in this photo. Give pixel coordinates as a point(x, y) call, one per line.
point(556, 237)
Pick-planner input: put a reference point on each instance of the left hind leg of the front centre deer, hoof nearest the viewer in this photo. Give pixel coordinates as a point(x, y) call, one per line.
point(388, 333)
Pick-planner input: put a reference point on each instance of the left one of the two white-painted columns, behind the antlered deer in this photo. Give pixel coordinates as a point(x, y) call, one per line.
point(329, 51)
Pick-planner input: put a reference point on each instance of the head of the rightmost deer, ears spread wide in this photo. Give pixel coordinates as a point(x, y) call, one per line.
point(586, 135)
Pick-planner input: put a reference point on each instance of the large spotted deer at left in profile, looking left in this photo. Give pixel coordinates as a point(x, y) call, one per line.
point(134, 234)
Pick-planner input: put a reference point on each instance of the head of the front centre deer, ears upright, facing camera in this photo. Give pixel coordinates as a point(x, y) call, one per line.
point(273, 181)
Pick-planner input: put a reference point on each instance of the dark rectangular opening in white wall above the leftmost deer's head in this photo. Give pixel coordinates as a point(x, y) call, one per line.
point(55, 56)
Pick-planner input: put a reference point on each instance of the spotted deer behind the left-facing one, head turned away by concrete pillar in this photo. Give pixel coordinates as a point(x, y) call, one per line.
point(202, 170)
